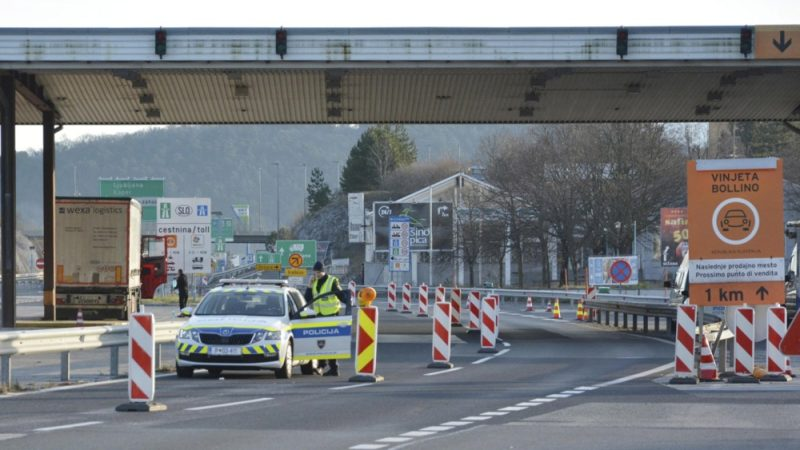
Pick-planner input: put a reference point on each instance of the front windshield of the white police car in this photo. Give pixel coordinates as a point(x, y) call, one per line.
point(242, 303)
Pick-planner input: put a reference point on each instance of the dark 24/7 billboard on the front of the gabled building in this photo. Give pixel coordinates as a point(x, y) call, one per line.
point(419, 216)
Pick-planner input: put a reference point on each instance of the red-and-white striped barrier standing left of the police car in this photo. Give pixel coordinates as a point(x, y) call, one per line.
point(141, 364)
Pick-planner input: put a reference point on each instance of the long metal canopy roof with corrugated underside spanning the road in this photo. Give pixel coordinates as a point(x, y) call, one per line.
point(227, 76)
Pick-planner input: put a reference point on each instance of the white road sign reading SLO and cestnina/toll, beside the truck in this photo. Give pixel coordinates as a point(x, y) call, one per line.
point(188, 222)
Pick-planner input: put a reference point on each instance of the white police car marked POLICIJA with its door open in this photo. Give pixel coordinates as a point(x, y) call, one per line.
point(258, 324)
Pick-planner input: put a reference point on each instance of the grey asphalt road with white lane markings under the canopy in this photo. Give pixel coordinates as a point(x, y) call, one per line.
point(554, 384)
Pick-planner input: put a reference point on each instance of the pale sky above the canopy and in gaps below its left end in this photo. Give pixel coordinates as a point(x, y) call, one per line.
point(374, 13)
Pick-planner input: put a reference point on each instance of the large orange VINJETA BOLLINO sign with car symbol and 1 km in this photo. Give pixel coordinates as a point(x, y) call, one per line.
point(736, 224)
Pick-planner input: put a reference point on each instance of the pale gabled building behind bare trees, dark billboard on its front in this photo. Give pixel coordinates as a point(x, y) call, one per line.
point(464, 245)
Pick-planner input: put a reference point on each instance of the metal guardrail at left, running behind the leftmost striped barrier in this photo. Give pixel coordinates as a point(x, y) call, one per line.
point(66, 340)
